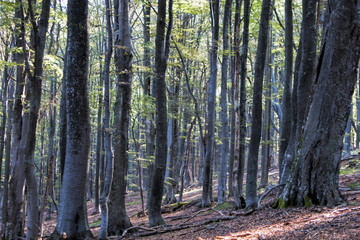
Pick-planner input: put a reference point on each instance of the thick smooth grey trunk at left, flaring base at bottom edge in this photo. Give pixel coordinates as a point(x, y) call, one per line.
point(72, 216)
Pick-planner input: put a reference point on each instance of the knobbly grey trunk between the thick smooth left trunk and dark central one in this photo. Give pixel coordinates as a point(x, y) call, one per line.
point(118, 219)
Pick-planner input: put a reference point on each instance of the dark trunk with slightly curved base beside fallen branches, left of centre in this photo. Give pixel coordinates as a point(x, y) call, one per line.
point(162, 45)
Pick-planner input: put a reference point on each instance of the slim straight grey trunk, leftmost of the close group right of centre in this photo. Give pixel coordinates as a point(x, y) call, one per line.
point(211, 103)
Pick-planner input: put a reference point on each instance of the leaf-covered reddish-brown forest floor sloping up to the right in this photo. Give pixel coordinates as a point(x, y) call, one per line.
point(187, 221)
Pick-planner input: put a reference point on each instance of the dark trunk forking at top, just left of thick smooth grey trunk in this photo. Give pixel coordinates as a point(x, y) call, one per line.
point(31, 117)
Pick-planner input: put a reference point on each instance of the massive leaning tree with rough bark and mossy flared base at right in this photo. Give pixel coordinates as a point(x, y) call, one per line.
point(315, 176)
